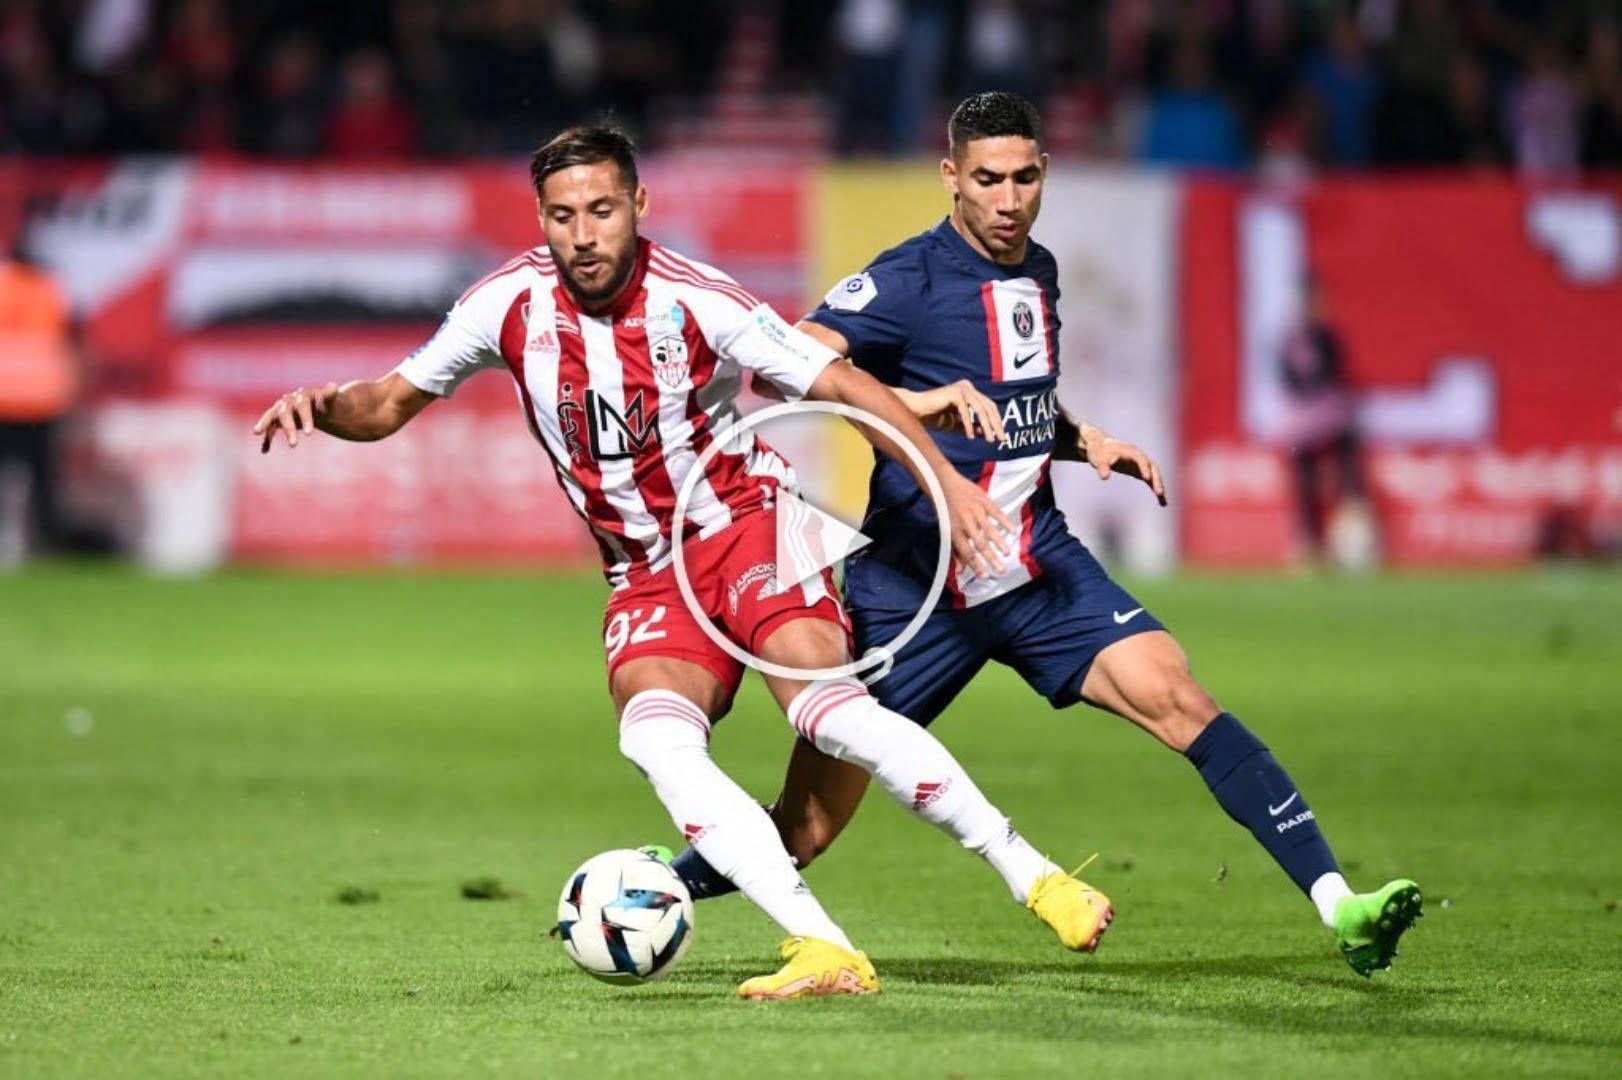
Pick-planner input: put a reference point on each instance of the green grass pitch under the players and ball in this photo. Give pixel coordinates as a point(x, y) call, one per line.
point(194, 773)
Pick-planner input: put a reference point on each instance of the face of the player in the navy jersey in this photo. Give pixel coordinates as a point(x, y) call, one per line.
point(997, 186)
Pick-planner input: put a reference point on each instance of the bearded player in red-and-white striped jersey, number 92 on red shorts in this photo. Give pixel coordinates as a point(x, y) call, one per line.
point(629, 361)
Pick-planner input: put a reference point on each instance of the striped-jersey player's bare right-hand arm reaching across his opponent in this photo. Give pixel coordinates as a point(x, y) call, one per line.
point(980, 529)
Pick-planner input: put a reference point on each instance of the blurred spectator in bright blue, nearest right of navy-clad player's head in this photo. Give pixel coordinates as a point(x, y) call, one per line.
point(1190, 122)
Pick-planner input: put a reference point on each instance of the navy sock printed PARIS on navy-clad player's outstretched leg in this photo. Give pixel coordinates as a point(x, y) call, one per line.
point(1259, 795)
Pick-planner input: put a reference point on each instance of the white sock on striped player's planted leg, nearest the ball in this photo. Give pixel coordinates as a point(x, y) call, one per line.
point(667, 737)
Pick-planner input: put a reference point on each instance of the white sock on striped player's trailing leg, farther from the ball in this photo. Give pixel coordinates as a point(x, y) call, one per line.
point(843, 721)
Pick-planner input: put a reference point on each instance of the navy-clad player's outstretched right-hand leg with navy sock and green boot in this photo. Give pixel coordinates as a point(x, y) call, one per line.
point(1146, 679)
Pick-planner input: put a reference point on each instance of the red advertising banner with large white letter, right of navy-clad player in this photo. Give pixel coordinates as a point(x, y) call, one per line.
point(1478, 324)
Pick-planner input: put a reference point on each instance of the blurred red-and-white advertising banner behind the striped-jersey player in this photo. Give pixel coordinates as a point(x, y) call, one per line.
point(221, 286)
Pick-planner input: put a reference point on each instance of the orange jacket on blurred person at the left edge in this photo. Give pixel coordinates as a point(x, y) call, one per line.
point(38, 372)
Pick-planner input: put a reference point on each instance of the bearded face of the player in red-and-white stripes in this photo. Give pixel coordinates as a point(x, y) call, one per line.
point(590, 218)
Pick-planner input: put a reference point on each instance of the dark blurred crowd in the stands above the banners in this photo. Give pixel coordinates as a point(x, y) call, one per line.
point(1534, 85)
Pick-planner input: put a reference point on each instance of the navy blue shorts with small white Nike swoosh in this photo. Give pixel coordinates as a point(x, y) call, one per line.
point(1050, 632)
